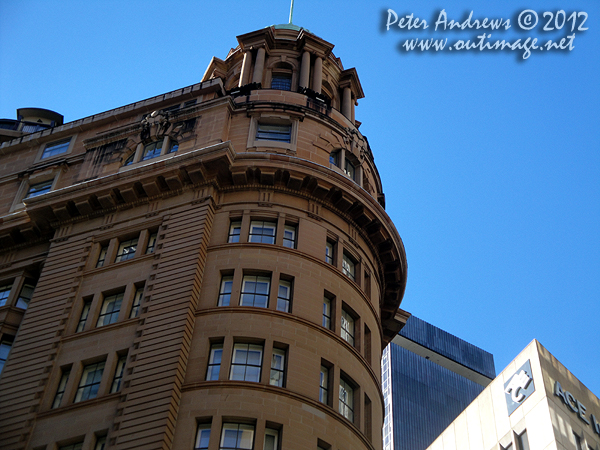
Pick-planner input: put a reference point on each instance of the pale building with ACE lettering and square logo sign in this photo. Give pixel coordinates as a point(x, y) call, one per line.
point(534, 404)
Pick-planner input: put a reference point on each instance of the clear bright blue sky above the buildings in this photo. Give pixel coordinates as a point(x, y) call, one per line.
point(490, 163)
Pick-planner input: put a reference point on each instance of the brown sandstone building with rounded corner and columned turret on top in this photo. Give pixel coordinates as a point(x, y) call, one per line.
point(211, 268)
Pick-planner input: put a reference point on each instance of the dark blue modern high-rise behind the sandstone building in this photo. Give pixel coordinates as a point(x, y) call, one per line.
point(429, 377)
